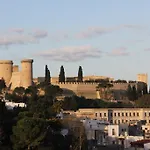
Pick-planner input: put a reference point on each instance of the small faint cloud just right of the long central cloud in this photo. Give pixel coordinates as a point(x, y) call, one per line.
point(122, 51)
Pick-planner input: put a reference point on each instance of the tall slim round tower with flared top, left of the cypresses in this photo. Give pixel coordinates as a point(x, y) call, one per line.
point(26, 73)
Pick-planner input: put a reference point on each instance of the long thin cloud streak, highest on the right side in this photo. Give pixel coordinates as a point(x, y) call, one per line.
point(97, 31)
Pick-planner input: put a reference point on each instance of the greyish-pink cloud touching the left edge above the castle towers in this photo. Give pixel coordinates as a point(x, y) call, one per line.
point(16, 40)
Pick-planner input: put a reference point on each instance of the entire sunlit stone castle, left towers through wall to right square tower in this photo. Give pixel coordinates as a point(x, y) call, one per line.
point(24, 78)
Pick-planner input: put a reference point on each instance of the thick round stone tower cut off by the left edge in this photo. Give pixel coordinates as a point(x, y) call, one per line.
point(6, 67)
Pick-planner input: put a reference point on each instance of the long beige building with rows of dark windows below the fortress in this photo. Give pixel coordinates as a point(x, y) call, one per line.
point(116, 115)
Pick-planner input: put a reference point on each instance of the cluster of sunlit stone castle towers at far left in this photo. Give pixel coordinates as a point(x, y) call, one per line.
point(15, 78)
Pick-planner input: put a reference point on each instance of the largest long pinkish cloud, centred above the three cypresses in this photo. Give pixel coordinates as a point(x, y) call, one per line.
point(71, 53)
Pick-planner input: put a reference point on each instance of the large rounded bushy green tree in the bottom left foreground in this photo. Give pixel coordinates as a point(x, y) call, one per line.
point(29, 133)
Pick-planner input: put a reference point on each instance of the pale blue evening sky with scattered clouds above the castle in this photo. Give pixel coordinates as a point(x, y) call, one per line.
point(105, 37)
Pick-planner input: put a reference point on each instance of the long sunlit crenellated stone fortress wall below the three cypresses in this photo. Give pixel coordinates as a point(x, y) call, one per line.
point(88, 89)
